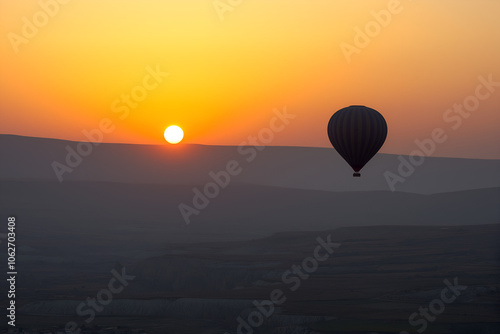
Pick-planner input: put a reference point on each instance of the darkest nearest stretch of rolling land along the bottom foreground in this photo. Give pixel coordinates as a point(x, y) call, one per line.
point(374, 280)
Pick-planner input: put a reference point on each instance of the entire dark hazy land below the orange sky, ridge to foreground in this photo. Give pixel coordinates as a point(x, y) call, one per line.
point(119, 209)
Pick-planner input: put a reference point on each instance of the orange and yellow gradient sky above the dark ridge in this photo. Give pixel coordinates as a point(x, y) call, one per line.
point(226, 76)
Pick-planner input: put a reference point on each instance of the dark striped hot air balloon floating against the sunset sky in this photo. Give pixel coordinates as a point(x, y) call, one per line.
point(357, 133)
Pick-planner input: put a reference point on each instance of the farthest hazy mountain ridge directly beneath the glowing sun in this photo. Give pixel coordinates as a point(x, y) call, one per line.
point(31, 158)
